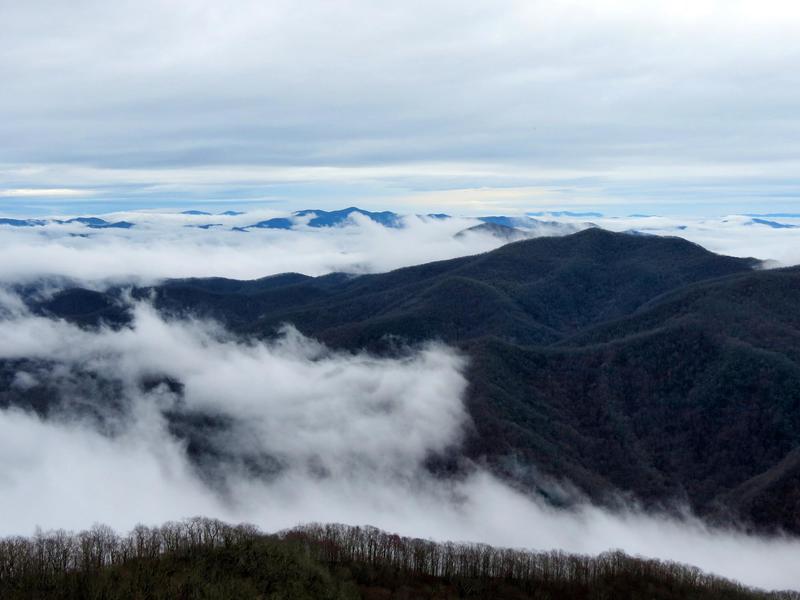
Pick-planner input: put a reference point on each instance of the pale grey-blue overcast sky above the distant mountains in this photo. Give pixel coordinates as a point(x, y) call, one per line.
point(624, 106)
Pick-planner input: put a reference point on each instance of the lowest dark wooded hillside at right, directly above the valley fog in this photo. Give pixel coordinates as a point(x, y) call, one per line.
point(676, 413)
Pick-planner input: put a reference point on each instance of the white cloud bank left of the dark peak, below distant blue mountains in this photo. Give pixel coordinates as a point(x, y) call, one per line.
point(163, 245)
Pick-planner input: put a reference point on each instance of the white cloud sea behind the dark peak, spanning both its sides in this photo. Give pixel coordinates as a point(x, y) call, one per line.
point(163, 245)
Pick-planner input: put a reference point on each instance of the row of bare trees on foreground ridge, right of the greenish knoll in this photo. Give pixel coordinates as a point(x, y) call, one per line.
point(343, 544)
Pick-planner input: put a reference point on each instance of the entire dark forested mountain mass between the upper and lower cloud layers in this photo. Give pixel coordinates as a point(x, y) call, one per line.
point(631, 366)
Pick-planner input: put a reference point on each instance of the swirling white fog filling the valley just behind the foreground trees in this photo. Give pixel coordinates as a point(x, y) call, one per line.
point(290, 432)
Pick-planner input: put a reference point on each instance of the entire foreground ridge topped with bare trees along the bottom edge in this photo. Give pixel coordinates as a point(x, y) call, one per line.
point(206, 558)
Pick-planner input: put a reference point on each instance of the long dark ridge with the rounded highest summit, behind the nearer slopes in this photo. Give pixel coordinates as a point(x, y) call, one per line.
point(530, 292)
